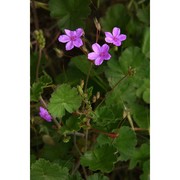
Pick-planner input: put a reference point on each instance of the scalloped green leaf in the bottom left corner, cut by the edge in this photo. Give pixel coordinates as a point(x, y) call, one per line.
point(43, 170)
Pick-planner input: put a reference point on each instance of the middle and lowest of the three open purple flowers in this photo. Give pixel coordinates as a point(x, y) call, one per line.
point(100, 53)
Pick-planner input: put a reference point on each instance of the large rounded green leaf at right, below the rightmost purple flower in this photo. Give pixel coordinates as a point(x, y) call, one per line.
point(131, 57)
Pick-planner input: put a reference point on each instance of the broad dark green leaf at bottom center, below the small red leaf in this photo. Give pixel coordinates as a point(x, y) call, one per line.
point(102, 158)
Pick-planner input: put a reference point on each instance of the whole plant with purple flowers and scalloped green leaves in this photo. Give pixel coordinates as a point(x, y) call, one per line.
point(90, 95)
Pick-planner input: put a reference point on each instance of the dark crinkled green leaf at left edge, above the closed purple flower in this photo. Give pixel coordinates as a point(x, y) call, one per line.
point(37, 87)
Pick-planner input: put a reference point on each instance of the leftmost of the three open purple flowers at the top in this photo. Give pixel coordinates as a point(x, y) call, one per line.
point(72, 38)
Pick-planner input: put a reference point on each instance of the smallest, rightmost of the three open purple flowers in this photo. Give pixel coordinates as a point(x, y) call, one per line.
point(115, 38)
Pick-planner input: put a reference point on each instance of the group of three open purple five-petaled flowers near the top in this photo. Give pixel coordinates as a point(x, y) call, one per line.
point(73, 39)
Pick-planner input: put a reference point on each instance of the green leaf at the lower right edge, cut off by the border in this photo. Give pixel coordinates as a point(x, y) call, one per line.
point(140, 155)
